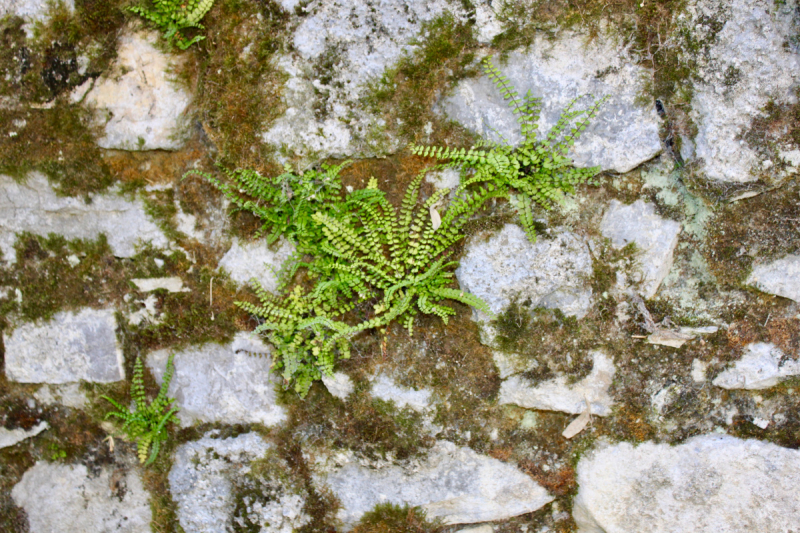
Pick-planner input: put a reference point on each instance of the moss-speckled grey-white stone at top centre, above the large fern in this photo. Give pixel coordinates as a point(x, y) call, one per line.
point(340, 46)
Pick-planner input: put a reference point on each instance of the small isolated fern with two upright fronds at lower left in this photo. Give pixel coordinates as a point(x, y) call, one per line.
point(147, 423)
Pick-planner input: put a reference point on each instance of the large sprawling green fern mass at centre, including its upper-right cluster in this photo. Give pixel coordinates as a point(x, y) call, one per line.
point(358, 249)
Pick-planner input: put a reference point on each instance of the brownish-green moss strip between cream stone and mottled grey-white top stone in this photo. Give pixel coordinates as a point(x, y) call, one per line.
point(236, 82)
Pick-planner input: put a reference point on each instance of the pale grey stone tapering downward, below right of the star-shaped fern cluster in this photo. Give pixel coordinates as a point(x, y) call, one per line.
point(655, 239)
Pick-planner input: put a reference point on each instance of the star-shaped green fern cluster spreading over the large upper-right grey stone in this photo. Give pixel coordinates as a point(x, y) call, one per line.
point(534, 171)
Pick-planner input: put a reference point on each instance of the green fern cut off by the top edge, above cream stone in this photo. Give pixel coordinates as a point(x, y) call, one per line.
point(174, 17)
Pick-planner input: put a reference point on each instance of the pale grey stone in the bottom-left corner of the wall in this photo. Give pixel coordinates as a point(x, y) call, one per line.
point(59, 497)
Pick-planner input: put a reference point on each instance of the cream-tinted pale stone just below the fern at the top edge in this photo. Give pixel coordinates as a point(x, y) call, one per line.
point(137, 103)
